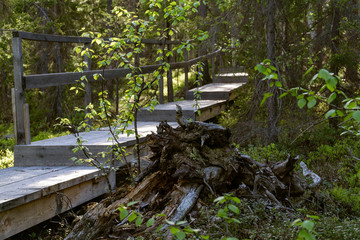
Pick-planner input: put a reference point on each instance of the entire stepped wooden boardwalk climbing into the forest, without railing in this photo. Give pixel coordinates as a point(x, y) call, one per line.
point(45, 182)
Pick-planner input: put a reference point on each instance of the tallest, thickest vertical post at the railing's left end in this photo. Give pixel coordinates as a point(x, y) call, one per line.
point(19, 95)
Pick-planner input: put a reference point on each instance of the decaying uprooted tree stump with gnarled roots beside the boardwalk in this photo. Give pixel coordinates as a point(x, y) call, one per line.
point(196, 157)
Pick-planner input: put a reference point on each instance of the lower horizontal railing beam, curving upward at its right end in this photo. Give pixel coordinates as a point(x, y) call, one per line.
point(58, 79)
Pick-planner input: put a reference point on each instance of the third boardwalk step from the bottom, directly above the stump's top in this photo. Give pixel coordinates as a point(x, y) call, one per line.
point(166, 112)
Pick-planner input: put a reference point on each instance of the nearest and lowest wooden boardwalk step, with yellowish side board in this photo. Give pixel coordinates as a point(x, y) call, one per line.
point(31, 195)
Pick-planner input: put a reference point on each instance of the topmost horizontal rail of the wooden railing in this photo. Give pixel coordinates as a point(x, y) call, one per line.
point(75, 39)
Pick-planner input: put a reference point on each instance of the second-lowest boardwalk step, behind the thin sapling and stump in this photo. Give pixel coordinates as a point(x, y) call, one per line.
point(59, 151)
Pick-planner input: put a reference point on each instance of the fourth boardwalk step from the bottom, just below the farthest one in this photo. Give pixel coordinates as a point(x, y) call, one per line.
point(215, 91)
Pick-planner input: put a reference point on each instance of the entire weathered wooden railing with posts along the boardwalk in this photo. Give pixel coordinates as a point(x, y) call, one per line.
point(22, 82)
